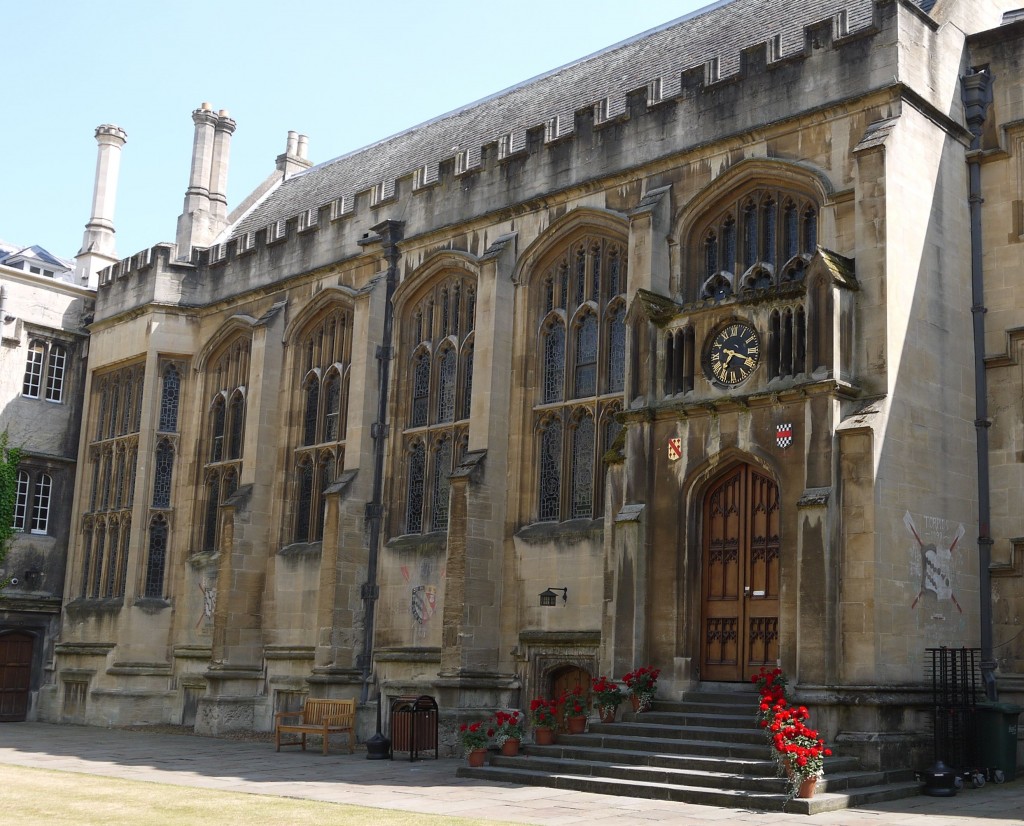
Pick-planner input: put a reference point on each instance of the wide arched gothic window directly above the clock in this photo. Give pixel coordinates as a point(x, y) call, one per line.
point(762, 239)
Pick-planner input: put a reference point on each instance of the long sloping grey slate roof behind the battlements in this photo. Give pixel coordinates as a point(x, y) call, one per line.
point(722, 30)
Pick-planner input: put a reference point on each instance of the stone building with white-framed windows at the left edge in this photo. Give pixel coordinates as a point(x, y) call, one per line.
point(44, 317)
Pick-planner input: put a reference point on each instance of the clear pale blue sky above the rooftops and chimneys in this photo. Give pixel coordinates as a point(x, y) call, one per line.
point(346, 74)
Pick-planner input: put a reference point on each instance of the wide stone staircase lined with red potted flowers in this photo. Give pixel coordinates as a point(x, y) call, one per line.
point(705, 750)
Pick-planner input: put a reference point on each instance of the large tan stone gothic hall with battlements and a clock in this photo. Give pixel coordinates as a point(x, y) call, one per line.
point(689, 333)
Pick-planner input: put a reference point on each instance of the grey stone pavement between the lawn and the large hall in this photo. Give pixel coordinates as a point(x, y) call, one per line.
point(432, 787)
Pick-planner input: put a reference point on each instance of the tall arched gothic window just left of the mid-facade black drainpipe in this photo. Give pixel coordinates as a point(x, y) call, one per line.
point(324, 365)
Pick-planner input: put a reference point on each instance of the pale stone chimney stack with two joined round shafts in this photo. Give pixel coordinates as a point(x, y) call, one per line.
point(205, 212)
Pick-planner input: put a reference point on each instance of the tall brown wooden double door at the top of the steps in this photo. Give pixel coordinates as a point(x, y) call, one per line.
point(741, 577)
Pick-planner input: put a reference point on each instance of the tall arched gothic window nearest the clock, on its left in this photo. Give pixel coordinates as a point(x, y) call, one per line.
point(581, 369)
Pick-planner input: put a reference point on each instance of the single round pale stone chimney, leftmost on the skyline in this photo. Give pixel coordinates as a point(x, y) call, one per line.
point(98, 246)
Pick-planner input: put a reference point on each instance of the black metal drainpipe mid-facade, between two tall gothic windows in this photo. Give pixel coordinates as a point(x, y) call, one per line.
point(390, 234)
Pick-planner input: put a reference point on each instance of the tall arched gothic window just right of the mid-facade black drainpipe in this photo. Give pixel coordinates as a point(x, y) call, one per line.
point(437, 380)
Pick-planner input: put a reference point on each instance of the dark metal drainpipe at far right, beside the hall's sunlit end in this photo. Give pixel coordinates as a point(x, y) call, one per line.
point(976, 93)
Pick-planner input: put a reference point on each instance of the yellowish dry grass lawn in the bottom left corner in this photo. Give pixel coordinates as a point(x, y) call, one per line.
point(42, 798)
